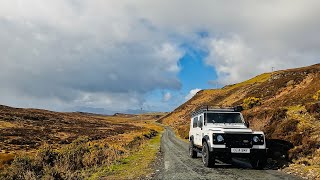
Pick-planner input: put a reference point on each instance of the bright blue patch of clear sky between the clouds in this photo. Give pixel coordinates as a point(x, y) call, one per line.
point(193, 74)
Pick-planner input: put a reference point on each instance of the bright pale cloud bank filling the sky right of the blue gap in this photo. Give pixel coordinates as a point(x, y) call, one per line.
point(248, 37)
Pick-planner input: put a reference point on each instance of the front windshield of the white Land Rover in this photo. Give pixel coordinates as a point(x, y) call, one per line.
point(223, 118)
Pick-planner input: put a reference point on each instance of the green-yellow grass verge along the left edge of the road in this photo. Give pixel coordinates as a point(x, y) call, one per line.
point(135, 165)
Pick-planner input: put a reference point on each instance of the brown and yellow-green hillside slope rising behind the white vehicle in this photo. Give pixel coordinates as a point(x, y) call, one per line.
point(287, 109)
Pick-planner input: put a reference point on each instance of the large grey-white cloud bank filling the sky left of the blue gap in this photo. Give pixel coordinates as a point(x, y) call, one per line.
point(63, 54)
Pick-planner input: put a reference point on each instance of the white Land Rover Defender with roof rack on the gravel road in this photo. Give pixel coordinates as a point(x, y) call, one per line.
point(222, 133)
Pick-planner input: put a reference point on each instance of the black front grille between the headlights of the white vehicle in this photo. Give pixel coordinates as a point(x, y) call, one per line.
point(238, 141)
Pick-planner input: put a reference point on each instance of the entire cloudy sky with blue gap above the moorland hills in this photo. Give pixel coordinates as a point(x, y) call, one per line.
point(109, 56)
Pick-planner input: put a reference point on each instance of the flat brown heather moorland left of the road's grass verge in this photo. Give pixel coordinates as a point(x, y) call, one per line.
point(39, 144)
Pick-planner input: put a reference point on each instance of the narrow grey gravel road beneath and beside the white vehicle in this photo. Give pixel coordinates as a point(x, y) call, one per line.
point(176, 164)
